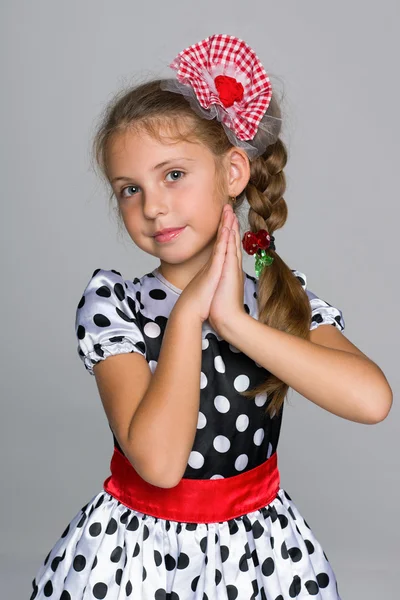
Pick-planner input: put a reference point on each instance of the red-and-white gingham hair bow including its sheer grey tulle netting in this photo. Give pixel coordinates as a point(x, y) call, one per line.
point(223, 78)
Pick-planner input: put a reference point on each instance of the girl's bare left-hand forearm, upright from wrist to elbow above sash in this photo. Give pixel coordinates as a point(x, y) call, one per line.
point(162, 430)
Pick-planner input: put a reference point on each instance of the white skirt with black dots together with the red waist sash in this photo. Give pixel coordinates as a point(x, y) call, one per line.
point(211, 539)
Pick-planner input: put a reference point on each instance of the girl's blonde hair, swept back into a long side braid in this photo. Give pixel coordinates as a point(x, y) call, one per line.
point(282, 302)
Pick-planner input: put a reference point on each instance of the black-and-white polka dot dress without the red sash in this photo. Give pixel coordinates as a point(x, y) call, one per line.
point(109, 551)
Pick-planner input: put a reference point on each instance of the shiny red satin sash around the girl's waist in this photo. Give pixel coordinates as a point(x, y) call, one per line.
point(194, 500)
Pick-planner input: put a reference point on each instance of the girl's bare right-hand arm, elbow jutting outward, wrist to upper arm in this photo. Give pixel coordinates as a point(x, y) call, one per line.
point(343, 381)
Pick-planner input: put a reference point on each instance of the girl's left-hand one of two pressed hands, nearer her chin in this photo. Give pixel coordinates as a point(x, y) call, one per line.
point(198, 294)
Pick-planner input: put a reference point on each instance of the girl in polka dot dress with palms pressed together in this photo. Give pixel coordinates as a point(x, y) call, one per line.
point(201, 355)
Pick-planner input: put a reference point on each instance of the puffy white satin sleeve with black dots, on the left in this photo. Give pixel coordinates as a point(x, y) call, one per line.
point(106, 320)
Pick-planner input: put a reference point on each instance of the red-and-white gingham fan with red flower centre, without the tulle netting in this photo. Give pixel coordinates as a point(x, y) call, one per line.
point(224, 70)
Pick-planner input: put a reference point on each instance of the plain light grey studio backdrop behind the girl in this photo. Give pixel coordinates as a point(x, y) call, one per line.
point(60, 63)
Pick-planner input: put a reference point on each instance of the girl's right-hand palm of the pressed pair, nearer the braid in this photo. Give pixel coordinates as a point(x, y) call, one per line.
point(228, 300)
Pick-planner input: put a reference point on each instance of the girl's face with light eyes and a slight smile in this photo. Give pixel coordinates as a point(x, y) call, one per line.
point(181, 193)
